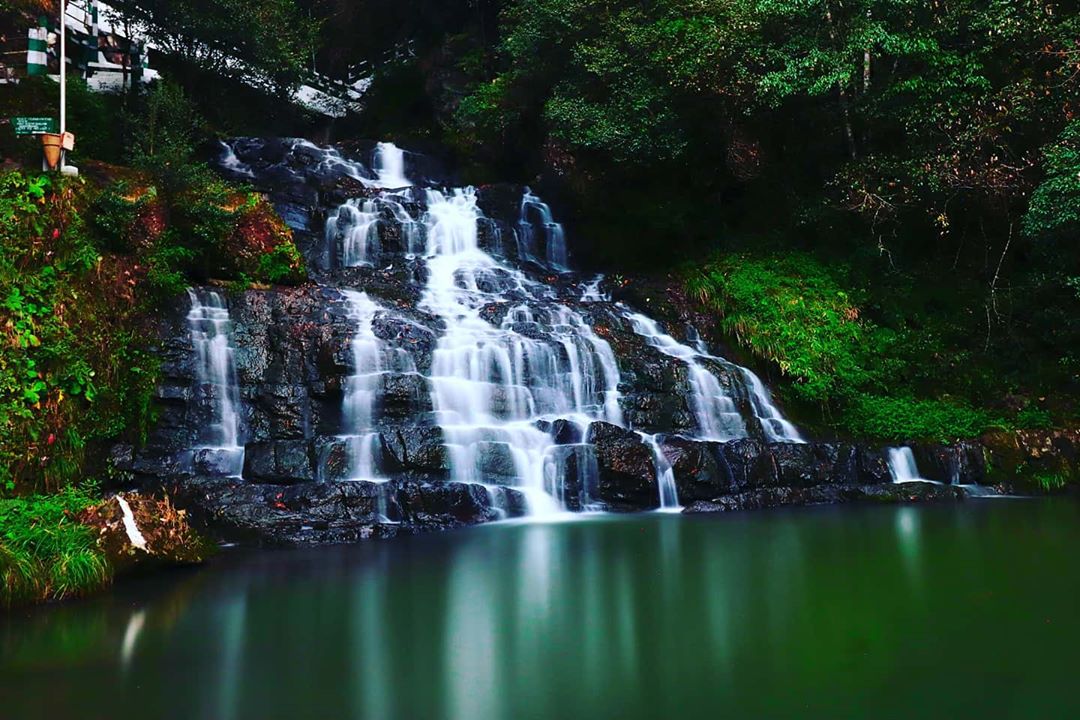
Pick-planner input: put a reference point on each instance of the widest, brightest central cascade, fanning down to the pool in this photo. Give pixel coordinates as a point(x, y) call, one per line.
point(493, 384)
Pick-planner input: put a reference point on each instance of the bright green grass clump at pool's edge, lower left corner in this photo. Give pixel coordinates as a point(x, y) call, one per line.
point(45, 553)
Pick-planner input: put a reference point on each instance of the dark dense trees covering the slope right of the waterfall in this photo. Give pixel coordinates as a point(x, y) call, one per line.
point(930, 148)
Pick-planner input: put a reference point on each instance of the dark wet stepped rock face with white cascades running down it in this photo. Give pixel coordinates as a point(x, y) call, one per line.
point(443, 368)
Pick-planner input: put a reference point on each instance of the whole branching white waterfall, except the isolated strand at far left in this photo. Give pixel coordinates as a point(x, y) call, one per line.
point(518, 371)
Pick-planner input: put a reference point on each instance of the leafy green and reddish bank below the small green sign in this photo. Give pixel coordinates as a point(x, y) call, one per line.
point(75, 366)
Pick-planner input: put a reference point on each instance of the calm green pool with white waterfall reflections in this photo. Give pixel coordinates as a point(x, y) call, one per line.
point(940, 613)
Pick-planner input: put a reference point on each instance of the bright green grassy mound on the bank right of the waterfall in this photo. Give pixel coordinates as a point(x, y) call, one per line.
point(794, 311)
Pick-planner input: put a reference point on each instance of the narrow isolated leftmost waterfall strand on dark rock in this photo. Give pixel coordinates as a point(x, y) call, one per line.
point(217, 378)
